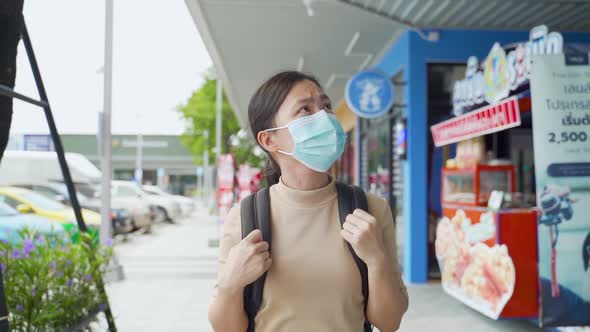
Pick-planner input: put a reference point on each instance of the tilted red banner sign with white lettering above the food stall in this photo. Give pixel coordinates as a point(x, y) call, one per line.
point(486, 120)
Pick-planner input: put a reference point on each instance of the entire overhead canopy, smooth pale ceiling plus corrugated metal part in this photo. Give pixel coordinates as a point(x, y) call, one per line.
point(249, 40)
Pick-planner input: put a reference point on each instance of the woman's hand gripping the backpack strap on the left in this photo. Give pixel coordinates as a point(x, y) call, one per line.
point(246, 262)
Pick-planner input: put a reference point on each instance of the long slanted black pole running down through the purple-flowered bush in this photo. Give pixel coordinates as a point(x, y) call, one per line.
point(61, 157)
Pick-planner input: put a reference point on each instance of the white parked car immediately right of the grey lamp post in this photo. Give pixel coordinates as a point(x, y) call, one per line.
point(167, 210)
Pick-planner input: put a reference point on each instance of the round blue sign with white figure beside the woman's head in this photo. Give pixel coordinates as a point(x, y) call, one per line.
point(369, 94)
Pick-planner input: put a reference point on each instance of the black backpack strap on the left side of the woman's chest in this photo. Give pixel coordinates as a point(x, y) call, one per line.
point(255, 214)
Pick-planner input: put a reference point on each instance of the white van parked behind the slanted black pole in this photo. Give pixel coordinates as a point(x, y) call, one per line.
point(37, 166)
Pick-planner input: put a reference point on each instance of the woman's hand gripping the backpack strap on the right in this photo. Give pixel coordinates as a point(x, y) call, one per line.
point(362, 232)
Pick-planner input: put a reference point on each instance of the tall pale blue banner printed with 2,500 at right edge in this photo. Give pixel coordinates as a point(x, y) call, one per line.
point(561, 128)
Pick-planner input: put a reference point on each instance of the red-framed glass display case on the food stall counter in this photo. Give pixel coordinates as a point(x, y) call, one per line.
point(473, 186)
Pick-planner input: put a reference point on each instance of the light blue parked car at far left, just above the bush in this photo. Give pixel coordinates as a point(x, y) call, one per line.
point(12, 222)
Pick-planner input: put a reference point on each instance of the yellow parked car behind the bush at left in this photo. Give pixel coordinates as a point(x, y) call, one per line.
point(29, 202)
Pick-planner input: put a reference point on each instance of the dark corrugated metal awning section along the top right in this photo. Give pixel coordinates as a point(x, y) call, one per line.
point(559, 15)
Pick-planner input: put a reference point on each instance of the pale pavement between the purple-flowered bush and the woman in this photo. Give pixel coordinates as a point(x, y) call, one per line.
point(169, 278)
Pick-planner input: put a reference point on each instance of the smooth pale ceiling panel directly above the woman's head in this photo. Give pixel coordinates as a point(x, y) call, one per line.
point(249, 40)
